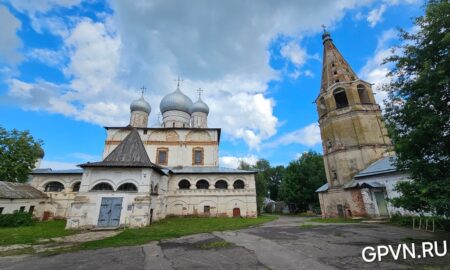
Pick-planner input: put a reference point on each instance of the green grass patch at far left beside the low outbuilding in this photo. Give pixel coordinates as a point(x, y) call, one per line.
point(32, 234)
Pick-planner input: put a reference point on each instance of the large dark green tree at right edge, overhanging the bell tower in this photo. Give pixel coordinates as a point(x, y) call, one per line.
point(418, 111)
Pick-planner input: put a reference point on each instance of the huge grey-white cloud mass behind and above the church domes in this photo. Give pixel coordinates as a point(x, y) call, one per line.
point(219, 46)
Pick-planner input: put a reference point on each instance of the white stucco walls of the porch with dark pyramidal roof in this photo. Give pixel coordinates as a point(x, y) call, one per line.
point(136, 206)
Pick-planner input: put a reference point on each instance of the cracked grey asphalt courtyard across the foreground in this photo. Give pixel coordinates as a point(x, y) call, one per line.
point(280, 244)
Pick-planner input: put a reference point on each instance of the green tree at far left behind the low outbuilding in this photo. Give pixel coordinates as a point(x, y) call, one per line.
point(18, 154)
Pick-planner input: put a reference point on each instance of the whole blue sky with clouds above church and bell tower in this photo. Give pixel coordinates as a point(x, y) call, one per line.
point(70, 67)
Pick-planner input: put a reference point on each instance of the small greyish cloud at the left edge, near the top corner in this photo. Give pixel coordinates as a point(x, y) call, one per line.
point(9, 41)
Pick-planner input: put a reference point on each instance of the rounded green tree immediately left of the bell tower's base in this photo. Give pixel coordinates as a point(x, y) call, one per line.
point(301, 179)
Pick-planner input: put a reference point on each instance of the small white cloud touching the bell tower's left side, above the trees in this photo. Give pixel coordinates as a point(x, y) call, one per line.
point(308, 136)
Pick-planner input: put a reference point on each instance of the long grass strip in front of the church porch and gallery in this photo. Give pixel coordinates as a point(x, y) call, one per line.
point(173, 228)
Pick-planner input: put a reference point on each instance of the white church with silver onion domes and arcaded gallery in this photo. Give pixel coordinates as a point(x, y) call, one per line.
point(150, 173)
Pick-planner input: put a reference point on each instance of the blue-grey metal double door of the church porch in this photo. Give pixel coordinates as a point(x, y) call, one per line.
point(110, 212)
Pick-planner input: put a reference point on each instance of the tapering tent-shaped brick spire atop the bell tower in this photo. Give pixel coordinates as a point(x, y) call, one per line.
point(335, 68)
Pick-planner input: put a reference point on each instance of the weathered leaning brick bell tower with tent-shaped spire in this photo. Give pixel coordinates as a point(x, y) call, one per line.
point(353, 134)
